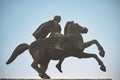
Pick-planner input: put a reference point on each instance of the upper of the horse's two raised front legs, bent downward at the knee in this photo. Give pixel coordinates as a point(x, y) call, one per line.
point(100, 48)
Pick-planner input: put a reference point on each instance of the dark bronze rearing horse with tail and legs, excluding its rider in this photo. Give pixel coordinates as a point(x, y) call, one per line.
point(42, 50)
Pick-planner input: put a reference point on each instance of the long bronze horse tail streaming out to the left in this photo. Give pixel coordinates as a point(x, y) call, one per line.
point(18, 50)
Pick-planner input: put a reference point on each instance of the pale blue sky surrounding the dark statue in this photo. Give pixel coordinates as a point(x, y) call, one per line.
point(20, 18)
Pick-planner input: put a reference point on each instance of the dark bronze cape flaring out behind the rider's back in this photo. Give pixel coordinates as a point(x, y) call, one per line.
point(43, 30)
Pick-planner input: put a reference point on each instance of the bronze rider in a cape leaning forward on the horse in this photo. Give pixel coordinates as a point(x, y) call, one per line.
point(51, 26)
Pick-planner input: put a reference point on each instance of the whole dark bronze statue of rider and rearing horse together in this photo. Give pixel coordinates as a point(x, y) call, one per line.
point(57, 46)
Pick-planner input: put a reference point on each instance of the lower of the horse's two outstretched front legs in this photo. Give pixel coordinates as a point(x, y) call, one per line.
point(88, 55)
